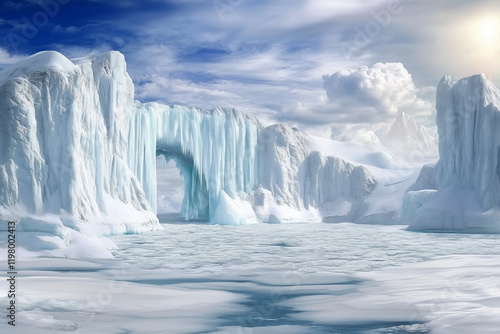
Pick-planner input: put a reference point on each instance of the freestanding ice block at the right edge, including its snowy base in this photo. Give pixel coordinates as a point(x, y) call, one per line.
point(468, 172)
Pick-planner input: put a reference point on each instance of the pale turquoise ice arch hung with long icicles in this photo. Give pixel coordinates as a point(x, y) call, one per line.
point(216, 152)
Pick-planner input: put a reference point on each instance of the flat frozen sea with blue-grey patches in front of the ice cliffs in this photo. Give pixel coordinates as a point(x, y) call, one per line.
point(267, 278)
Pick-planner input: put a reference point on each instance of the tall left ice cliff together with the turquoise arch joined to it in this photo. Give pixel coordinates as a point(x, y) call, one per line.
point(74, 141)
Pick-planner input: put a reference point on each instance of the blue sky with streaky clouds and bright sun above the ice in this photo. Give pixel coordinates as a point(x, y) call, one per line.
point(326, 67)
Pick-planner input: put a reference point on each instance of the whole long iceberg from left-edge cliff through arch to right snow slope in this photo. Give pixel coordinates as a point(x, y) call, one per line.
point(77, 159)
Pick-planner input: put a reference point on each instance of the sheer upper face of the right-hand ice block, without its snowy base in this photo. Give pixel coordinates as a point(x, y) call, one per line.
point(468, 120)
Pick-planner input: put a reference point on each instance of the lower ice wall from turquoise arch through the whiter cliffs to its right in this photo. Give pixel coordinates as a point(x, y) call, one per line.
point(224, 156)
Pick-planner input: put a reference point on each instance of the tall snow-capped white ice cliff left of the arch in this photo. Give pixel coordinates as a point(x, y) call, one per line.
point(64, 134)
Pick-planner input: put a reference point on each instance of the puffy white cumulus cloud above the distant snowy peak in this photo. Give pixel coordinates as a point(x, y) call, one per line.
point(377, 93)
